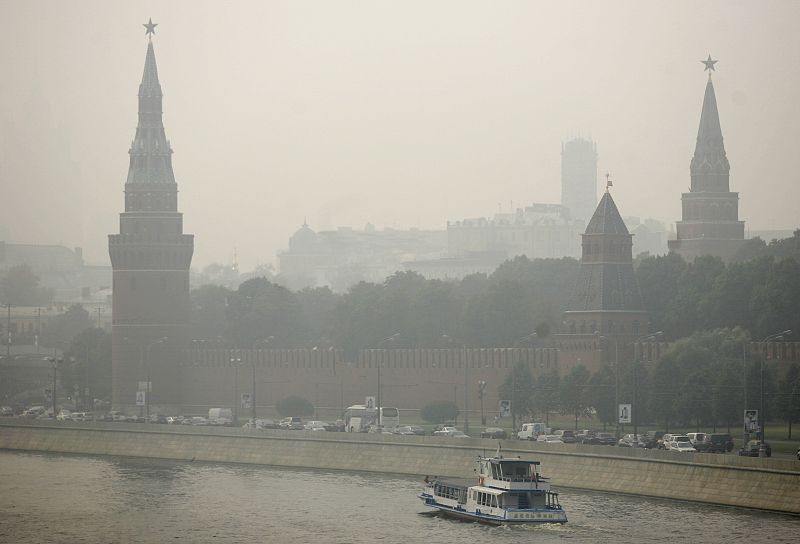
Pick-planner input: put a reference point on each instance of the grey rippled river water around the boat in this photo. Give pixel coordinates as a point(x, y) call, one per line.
point(64, 498)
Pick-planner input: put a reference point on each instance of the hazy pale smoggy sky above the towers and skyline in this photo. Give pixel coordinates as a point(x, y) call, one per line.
point(403, 114)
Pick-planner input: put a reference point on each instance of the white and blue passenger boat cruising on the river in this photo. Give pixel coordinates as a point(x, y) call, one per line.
point(509, 491)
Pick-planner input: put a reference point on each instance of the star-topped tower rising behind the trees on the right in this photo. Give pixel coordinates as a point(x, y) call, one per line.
point(710, 222)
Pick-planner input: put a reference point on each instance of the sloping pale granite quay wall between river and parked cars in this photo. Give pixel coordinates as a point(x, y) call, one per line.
point(768, 484)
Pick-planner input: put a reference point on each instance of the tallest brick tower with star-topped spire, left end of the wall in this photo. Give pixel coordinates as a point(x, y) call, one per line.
point(150, 258)
